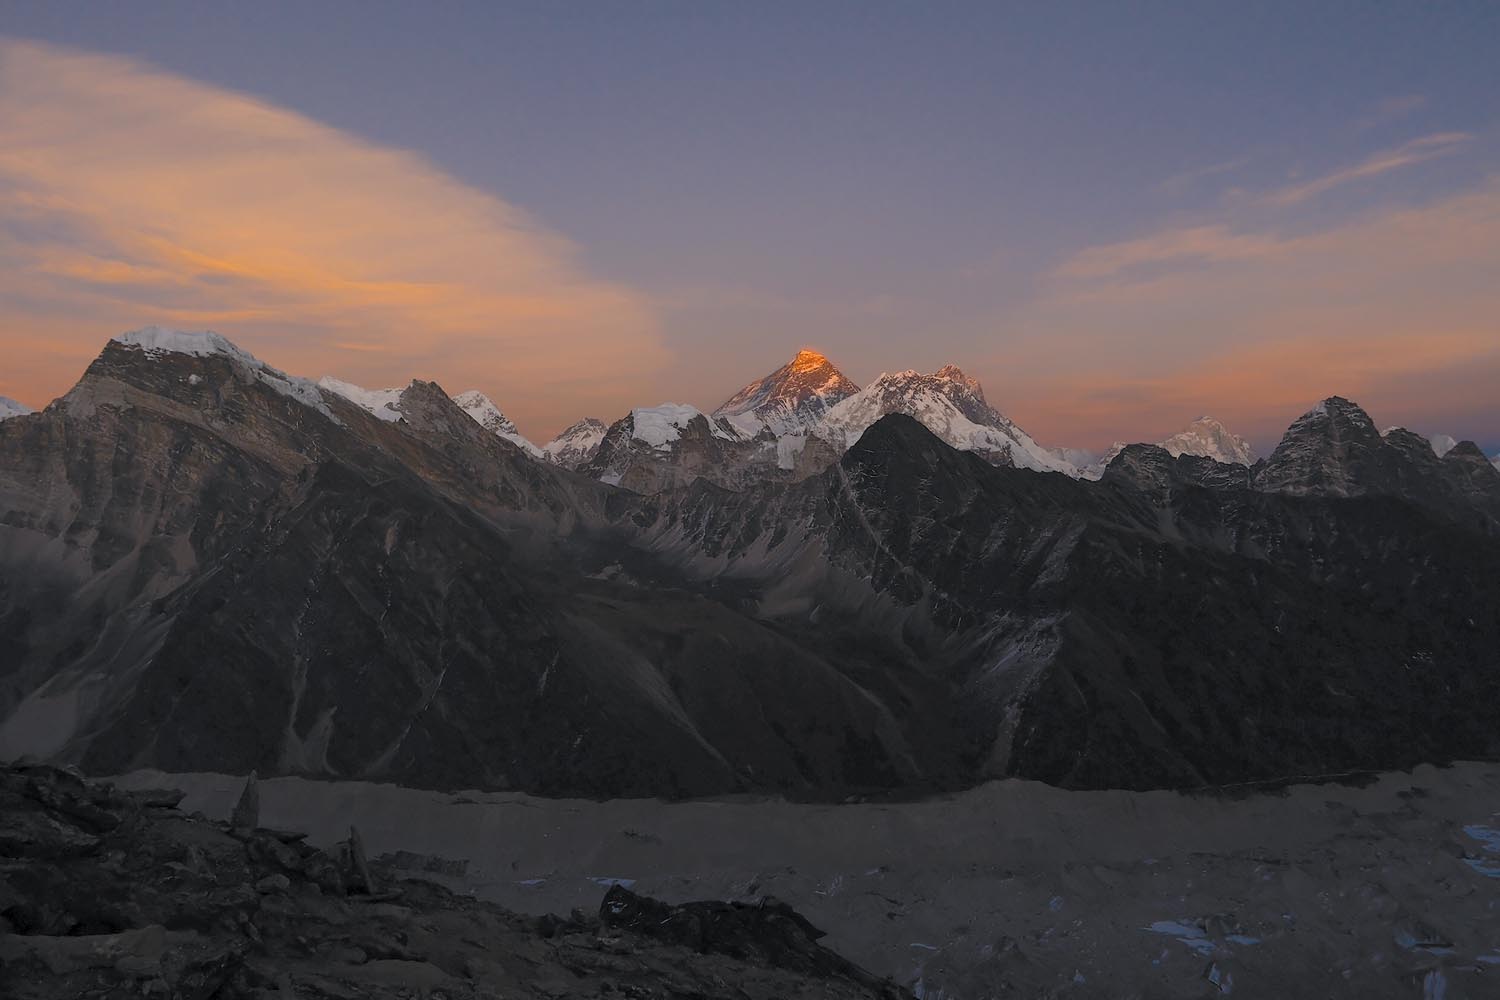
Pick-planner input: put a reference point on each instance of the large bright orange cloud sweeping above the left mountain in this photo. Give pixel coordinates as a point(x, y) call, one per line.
point(130, 196)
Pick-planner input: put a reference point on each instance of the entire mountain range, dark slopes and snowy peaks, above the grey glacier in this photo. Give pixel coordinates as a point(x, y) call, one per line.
point(208, 564)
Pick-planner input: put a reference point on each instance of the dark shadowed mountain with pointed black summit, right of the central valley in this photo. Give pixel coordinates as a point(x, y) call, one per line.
point(1175, 630)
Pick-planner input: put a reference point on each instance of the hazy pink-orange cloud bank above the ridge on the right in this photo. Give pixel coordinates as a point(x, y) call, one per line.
point(1399, 310)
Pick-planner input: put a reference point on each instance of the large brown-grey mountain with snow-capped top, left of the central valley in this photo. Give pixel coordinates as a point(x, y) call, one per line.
point(205, 570)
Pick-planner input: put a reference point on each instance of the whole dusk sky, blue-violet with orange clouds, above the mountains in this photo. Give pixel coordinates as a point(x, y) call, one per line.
point(1118, 217)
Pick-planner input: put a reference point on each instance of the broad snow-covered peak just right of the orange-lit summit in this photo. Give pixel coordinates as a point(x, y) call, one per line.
point(953, 407)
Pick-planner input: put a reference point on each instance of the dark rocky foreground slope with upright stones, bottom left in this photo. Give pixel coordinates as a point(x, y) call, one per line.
point(119, 894)
